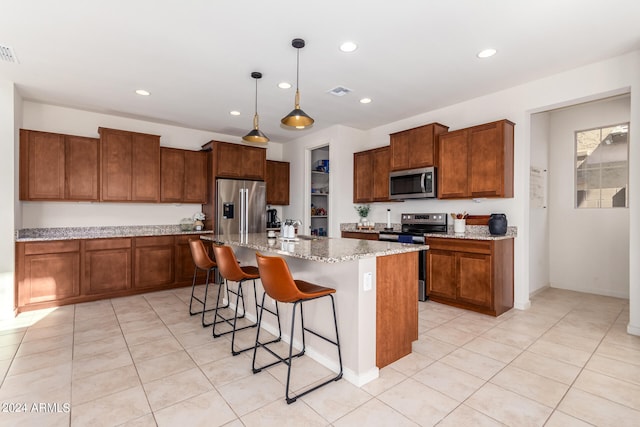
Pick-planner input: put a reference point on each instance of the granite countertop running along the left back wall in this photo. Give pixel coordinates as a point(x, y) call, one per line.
point(71, 233)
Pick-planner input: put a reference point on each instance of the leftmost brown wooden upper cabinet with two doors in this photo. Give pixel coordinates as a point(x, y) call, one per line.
point(58, 167)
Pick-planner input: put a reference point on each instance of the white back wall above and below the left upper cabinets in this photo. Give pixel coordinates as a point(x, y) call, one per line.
point(50, 118)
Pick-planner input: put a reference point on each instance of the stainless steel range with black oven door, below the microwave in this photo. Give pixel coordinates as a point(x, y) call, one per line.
point(414, 227)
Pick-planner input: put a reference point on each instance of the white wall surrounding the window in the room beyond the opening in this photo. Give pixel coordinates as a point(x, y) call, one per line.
point(589, 248)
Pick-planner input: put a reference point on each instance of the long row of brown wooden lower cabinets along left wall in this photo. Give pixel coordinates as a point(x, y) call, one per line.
point(54, 273)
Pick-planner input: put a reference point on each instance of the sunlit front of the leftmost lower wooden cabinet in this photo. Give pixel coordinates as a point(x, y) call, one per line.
point(50, 272)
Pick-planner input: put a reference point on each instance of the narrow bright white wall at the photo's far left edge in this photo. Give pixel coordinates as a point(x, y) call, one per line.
point(8, 195)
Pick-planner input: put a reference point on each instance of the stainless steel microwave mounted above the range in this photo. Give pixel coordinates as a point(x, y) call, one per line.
point(413, 184)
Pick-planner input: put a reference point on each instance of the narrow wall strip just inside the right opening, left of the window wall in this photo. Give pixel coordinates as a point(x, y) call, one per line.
point(539, 216)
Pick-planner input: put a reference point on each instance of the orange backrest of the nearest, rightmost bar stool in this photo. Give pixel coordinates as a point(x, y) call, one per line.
point(277, 280)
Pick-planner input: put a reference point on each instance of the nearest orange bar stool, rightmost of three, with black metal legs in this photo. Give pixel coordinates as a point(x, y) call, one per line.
point(280, 285)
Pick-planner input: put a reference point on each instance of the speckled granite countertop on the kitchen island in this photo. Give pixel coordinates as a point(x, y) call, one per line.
point(314, 248)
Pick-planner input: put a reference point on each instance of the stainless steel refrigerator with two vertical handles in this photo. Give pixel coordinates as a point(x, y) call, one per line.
point(241, 207)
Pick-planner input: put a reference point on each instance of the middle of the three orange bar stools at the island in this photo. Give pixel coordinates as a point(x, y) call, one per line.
point(231, 271)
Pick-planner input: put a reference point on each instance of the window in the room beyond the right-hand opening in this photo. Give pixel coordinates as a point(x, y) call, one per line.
point(602, 167)
